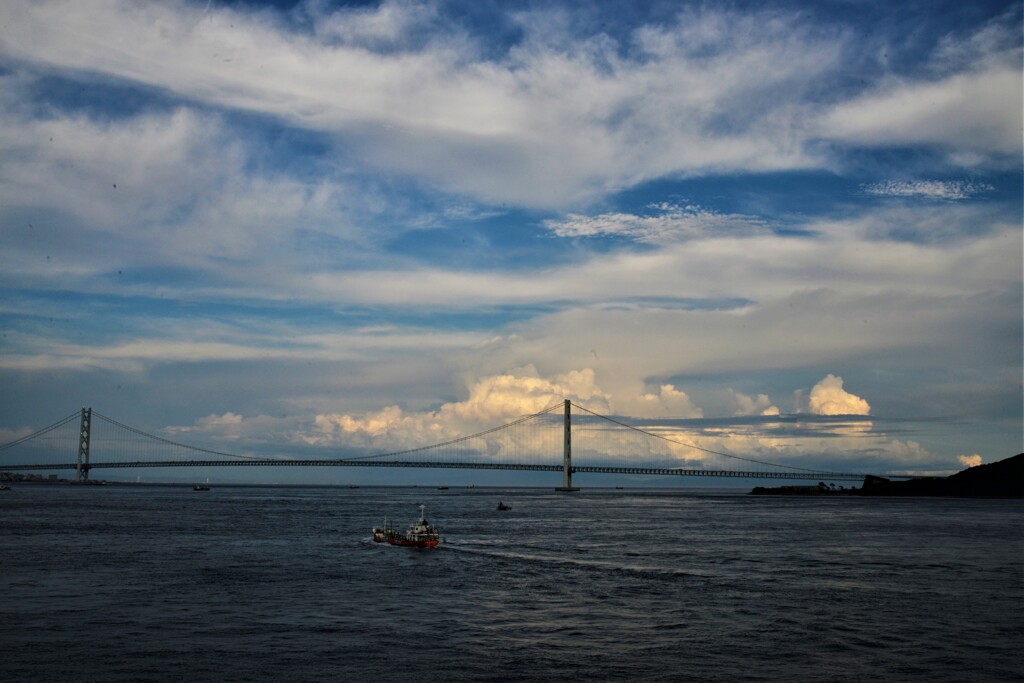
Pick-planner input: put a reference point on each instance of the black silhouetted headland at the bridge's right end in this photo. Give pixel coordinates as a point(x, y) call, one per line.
point(1002, 480)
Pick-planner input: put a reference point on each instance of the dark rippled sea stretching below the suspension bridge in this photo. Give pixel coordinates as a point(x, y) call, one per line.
point(160, 584)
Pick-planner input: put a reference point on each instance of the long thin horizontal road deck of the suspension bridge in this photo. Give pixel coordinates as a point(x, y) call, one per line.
point(577, 469)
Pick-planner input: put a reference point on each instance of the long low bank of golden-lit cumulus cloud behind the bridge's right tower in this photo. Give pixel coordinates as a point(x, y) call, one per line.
point(502, 399)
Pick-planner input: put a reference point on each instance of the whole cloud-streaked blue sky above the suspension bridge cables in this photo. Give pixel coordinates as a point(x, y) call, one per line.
point(309, 227)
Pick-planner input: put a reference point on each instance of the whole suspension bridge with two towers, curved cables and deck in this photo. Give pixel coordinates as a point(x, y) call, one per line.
point(550, 441)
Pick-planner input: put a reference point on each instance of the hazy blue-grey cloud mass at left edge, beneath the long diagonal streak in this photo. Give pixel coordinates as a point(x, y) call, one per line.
point(165, 191)
